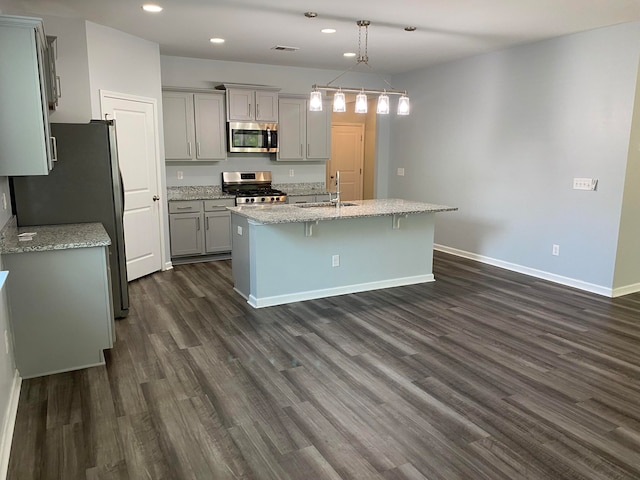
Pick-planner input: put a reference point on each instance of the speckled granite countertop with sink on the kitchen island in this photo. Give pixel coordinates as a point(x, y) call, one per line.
point(362, 208)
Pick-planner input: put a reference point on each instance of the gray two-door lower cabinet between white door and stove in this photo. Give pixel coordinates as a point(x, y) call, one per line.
point(200, 227)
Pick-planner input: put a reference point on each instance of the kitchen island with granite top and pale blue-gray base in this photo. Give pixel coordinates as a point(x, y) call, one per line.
point(289, 253)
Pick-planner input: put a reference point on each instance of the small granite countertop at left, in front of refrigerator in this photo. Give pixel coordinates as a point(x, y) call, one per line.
point(53, 237)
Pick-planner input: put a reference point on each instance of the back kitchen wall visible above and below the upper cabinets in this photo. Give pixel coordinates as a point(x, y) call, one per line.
point(198, 73)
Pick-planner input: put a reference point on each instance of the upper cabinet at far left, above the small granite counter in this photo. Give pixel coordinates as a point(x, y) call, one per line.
point(26, 146)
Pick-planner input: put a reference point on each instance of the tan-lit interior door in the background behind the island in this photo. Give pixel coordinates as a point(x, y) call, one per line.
point(347, 157)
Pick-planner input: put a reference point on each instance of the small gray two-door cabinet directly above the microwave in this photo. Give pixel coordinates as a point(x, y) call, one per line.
point(250, 105)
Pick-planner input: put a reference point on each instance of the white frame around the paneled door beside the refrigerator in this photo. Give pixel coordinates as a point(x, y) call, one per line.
point(162, 192)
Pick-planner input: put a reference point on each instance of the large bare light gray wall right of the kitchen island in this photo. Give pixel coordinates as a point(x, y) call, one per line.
point(502, 135)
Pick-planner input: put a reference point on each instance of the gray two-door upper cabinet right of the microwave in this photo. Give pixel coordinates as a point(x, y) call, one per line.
point(303, 135)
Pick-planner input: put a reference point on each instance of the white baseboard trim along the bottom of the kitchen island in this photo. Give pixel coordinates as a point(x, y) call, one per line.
point(332, 292)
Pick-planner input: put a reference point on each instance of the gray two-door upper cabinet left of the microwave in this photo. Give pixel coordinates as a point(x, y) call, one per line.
point(194, 126)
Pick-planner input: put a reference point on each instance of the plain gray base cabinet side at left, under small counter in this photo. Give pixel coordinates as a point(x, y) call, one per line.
point(61, 311)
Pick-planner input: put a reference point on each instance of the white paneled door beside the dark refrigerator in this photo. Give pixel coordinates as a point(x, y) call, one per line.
point(137, 138)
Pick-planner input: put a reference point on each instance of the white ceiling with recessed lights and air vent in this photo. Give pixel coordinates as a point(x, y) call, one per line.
point(445, 29)
